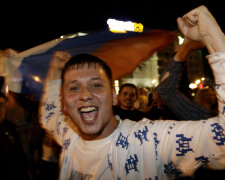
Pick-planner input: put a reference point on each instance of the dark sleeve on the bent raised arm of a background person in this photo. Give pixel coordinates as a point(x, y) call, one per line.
point(174, 99)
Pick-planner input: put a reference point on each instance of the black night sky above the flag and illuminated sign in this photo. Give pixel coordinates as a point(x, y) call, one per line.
point(24, 26)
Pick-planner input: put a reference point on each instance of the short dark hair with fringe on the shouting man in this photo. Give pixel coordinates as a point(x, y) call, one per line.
point(82, 59)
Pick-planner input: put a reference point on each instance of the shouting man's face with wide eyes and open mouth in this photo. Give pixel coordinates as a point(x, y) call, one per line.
point(88, 98)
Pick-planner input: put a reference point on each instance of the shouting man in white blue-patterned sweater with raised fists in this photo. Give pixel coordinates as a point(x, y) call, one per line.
point(96, 145)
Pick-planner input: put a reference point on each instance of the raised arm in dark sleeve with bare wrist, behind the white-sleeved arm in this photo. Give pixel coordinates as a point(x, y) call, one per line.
point(168, 90)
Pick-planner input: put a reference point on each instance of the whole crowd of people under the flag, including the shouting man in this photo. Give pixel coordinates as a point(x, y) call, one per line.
point(82, 130)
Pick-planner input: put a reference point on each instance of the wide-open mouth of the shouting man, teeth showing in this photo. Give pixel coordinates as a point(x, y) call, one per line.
point(88, 113)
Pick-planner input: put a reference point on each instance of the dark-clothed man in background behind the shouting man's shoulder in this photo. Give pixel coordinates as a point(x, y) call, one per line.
point(127, 96)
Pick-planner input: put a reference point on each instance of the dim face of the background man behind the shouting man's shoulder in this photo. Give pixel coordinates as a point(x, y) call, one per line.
point(127, 97)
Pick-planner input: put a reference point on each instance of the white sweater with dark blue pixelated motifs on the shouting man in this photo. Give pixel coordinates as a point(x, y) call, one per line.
point(147, 150)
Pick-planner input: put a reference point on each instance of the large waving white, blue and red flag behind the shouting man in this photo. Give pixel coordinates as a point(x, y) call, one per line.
point(25, 72)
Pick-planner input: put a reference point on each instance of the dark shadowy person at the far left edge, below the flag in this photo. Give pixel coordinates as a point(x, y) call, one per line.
point(14, 163)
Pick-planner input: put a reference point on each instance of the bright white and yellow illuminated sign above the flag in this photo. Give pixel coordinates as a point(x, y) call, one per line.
point(117, 26)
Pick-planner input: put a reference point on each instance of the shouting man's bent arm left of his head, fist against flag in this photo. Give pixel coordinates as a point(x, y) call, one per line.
point(50, 113)
